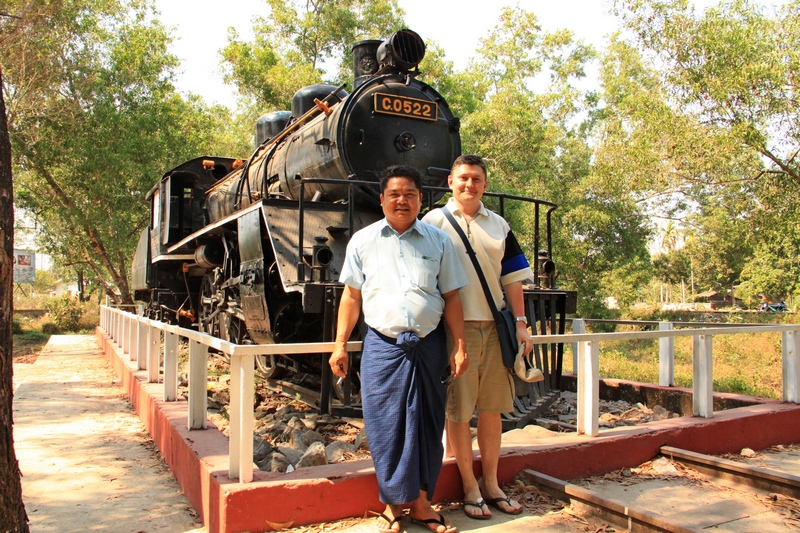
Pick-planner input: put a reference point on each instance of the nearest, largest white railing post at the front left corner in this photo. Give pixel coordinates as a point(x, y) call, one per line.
point(240, 454)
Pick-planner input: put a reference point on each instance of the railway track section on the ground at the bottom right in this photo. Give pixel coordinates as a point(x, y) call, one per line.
point(691, 493)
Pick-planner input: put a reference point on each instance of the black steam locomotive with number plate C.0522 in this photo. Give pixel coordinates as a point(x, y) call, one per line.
point(250, 251)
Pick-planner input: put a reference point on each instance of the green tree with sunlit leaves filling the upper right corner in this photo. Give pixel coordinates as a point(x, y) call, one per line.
point(701, 122)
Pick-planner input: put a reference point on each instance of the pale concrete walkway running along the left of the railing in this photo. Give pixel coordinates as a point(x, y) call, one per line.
point(87, 462)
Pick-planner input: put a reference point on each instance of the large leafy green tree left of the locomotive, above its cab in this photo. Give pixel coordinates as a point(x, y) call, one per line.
point(94, 122)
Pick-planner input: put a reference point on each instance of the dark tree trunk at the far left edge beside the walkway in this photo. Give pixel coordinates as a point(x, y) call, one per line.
point(13, 518)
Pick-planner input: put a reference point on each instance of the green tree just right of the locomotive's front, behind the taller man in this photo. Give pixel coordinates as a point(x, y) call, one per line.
point(536, 137)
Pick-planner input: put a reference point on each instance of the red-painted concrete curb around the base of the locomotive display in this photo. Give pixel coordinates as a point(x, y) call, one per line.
point(199, 458)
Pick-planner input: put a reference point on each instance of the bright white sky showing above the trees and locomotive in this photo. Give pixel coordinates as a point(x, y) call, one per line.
point(456, 25)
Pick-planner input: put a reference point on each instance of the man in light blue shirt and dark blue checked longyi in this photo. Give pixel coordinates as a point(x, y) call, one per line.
point(404, 275)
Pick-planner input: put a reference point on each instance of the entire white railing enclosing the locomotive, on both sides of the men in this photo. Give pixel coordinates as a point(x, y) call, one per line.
point(141, 338)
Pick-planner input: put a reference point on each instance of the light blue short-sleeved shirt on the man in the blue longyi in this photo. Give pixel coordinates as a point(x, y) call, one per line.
point(402, 277)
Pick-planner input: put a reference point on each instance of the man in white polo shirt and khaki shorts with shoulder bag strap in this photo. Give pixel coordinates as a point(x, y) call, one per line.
point(486, 385)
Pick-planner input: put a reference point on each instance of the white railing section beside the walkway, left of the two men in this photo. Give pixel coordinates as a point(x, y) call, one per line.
point(141, 338)
